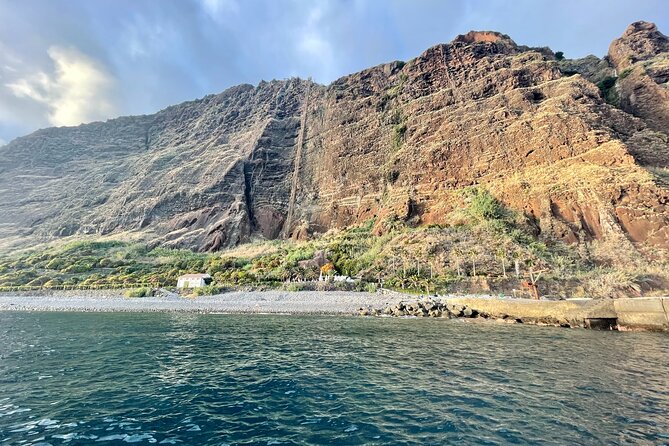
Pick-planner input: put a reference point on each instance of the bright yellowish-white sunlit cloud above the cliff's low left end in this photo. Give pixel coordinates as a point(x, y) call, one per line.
point(77, 90)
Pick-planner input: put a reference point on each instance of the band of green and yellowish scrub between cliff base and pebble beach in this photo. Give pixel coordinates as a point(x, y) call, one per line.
point(479, 249)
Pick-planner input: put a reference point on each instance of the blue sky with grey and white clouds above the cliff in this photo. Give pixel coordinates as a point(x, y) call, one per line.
point(66, 62)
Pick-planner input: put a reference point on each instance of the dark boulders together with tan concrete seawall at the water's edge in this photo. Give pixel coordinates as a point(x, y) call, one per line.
point(611, 314)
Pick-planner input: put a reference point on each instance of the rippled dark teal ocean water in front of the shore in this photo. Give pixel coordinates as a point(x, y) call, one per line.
point(68, 378)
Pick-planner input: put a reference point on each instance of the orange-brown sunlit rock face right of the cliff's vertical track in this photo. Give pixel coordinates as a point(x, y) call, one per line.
point(482, 111)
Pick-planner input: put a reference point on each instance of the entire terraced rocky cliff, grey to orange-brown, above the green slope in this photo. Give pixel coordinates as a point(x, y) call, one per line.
point(397, 141)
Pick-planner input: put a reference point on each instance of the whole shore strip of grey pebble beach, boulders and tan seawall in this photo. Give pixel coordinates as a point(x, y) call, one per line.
point(626, 314)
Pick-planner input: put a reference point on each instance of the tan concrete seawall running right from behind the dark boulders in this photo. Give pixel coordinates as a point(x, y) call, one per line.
point(623, 314)
